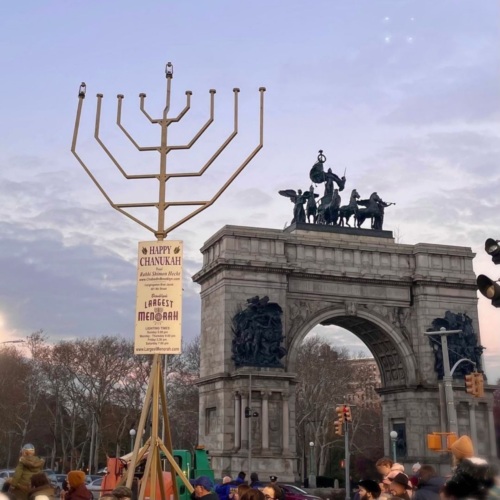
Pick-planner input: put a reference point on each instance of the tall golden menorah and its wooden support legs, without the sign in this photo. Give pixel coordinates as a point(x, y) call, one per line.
point(155, 395)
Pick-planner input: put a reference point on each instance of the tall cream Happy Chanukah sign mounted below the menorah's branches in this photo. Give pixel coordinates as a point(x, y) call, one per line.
point(158, 312)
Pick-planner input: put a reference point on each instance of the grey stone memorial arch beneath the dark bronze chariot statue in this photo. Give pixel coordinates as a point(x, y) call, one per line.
point(386, 293)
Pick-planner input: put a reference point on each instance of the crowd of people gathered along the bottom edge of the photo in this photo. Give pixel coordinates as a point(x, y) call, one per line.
point(471, 478)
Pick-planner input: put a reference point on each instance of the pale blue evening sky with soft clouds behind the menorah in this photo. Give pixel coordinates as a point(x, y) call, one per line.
point(405, 95)
